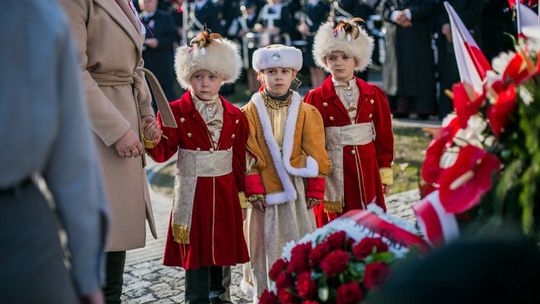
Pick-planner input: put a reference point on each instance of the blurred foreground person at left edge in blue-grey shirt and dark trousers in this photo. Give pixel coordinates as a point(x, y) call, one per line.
point(44, 126)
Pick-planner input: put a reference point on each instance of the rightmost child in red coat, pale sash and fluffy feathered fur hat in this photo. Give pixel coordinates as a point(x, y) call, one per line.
point(357, 122)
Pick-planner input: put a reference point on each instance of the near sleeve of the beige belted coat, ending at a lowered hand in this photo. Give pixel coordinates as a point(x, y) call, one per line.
point(106, 121)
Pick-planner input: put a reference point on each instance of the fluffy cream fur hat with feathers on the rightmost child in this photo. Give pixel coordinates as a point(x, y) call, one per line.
point(350, 39)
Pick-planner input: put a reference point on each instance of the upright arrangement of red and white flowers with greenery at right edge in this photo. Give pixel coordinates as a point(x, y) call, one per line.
point(485, 161)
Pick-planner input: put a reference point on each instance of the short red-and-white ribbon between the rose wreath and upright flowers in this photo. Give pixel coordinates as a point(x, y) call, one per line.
point(438, 226)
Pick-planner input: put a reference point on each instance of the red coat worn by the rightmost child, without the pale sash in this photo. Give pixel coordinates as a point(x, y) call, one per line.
point(361, 163)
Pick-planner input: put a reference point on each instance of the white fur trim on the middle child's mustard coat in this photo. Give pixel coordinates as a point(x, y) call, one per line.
point(282, 163)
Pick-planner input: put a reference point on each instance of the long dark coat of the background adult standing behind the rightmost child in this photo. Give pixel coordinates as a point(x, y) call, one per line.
point(409, 68)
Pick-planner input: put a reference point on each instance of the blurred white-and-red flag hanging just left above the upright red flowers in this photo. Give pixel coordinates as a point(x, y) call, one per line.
point(472, 64)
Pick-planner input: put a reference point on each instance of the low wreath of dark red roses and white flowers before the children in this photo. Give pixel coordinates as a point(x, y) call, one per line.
point(341, 262)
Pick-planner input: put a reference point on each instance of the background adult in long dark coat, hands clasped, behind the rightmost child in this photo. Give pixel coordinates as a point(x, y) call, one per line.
point(408, 71)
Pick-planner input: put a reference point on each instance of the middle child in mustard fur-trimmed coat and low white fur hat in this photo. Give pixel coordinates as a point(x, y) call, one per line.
point(286, 164)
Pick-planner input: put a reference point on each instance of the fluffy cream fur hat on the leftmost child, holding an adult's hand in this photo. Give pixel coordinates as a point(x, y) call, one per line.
point(208, 52)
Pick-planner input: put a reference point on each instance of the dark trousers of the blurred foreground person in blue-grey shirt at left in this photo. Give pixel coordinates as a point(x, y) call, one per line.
point(32, 268)
